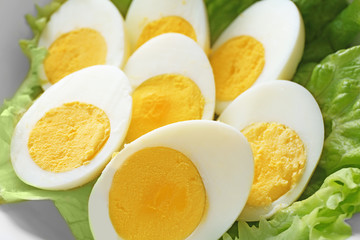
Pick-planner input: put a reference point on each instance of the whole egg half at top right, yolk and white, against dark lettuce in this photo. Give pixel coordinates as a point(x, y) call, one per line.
point(264, 42)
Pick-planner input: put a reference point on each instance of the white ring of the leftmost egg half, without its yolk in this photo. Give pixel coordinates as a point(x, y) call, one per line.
point(105, 87)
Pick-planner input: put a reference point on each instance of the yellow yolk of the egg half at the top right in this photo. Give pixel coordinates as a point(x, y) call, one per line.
point(237, 64)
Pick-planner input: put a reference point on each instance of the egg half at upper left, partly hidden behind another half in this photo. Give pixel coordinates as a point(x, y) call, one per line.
point(82, 33)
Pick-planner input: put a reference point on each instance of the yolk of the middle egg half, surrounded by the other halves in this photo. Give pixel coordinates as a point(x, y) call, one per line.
point(162, 100)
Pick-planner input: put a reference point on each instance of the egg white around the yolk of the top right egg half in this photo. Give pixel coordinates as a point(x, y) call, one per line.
point(278, 26)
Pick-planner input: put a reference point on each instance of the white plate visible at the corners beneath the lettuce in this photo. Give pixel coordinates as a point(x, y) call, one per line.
point(37, 219)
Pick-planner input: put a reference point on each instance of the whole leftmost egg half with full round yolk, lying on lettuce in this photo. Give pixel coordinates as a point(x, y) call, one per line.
point(68, 135)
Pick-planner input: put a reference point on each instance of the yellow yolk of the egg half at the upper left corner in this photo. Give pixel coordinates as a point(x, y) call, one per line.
point(73, 51)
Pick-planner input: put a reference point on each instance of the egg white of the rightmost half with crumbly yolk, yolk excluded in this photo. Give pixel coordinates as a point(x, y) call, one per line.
point(289, 104)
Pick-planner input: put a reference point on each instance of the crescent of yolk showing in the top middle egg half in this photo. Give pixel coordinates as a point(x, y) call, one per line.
point(170, 24)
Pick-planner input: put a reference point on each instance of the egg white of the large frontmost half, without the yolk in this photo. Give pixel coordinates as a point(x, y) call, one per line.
point(222, 156)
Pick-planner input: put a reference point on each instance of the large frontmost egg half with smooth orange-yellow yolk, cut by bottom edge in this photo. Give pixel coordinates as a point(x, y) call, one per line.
point(187, 180)
